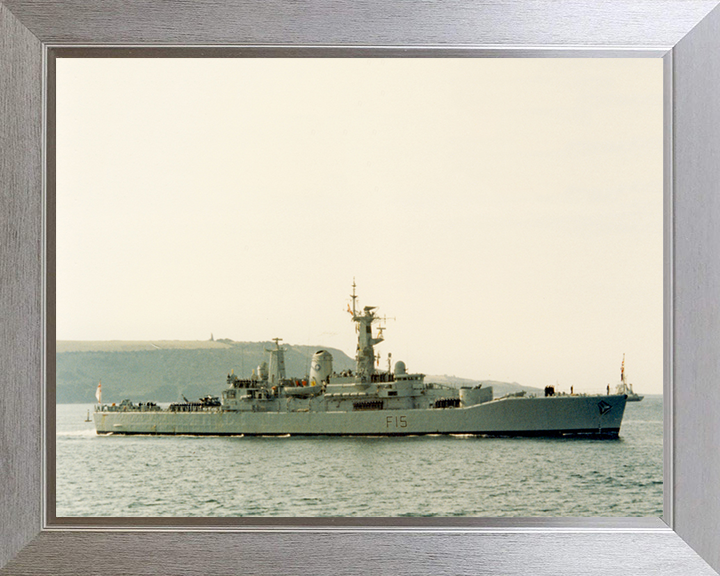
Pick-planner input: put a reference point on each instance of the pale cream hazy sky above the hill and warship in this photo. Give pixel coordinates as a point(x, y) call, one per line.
point(506, 212)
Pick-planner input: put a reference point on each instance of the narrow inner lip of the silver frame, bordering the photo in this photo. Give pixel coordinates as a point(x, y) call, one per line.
point(50, 522)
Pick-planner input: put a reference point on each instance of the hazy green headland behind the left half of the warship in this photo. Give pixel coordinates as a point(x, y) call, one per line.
point(163, 371)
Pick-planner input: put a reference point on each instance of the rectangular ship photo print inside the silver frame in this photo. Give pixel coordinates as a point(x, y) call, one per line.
point(375, 287)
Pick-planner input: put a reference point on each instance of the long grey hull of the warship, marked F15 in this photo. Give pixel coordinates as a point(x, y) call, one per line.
point(598, 416)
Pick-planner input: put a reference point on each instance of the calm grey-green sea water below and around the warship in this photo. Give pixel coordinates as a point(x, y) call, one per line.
point(336, 476)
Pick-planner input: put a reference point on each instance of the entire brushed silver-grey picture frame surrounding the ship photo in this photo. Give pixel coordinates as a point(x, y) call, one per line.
point(685, 33)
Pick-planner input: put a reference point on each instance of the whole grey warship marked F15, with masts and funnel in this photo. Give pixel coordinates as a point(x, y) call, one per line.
point(364, 402)
